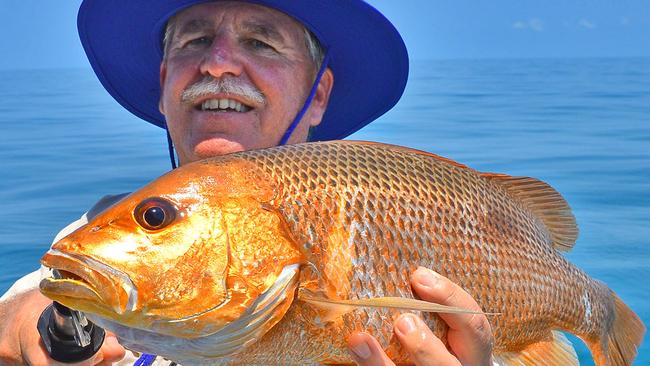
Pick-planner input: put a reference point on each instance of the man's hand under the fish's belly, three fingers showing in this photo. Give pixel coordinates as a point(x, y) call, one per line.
point(469, 337)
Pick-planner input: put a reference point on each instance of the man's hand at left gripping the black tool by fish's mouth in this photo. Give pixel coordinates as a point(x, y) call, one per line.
point(20, 343)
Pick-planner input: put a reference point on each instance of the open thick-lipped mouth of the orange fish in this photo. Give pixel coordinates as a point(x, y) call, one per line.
point(86, 284)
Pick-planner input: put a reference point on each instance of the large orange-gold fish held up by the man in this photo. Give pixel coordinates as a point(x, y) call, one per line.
point(275, 256)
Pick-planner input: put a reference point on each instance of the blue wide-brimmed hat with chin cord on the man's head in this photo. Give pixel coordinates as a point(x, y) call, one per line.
point(123, 40)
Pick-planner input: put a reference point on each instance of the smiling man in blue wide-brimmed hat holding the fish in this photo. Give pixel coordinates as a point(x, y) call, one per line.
point(230, 76)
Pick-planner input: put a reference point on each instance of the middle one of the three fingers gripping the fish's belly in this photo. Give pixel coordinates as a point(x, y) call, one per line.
point(424, 348)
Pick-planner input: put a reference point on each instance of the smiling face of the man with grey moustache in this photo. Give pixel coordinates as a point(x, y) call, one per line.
point(252, 47)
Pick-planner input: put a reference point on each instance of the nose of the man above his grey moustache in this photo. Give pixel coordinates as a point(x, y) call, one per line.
point(222, 57)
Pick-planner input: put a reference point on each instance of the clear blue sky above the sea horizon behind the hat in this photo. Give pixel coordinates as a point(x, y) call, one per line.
point(42, 33)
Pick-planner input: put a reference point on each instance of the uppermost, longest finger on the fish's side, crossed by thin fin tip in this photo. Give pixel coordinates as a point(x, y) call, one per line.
point(470, 336)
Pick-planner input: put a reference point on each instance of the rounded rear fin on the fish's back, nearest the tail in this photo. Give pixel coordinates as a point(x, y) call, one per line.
point(545, 202)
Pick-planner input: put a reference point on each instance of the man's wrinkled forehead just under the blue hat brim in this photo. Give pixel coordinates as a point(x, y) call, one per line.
point(252, 17)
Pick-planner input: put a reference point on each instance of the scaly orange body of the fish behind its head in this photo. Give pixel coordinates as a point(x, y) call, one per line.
point(370, 214)
